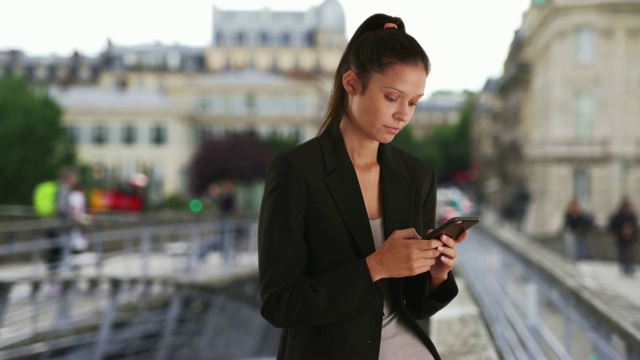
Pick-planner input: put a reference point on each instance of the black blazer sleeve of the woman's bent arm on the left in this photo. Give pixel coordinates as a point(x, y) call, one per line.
point(289, 296)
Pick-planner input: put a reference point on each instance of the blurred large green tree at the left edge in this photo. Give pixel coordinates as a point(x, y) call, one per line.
point(33, 141)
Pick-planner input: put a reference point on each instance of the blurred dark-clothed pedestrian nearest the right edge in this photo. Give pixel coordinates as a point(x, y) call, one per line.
point(623, 224)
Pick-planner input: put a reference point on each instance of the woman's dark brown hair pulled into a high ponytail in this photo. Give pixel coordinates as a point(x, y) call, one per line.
point(372, 49)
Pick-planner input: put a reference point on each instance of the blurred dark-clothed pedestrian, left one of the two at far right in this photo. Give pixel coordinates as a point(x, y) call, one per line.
point(578, 224)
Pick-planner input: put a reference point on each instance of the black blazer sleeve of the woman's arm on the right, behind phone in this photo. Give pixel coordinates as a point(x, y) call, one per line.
point(419, 300)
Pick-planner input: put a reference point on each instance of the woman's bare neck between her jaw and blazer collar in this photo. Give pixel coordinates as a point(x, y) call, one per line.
point(362, 150)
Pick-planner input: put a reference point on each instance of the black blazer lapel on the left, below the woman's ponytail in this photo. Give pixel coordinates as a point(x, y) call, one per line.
point(342, 182)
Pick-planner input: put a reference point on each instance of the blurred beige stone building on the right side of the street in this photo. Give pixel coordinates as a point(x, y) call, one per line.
point(562, 120)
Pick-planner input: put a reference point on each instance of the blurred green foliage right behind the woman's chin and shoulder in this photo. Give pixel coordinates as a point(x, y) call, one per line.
point(447, 147)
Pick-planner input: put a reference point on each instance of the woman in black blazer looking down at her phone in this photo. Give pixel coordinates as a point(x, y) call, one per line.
point(328, 277)
